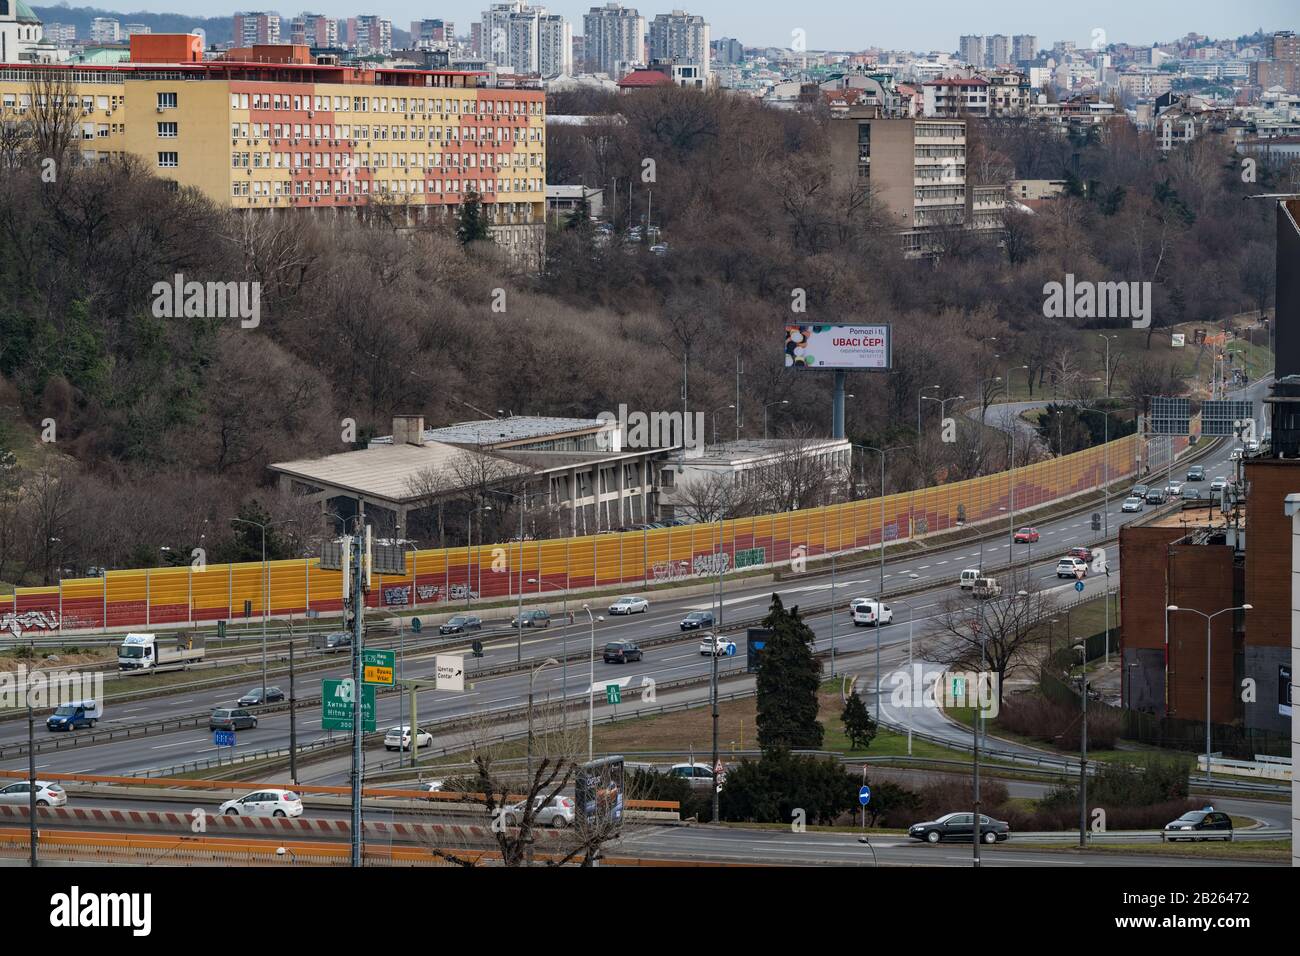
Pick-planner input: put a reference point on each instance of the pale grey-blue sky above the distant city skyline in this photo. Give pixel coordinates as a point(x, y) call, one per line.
point(848, 24)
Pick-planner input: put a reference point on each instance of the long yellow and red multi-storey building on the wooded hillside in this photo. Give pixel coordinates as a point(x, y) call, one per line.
point(306, 135)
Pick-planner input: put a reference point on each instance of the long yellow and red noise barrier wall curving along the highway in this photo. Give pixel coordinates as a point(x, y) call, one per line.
point(444, 578)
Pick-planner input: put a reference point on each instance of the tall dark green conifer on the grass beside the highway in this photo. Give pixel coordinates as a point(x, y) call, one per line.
point(788, 678)
